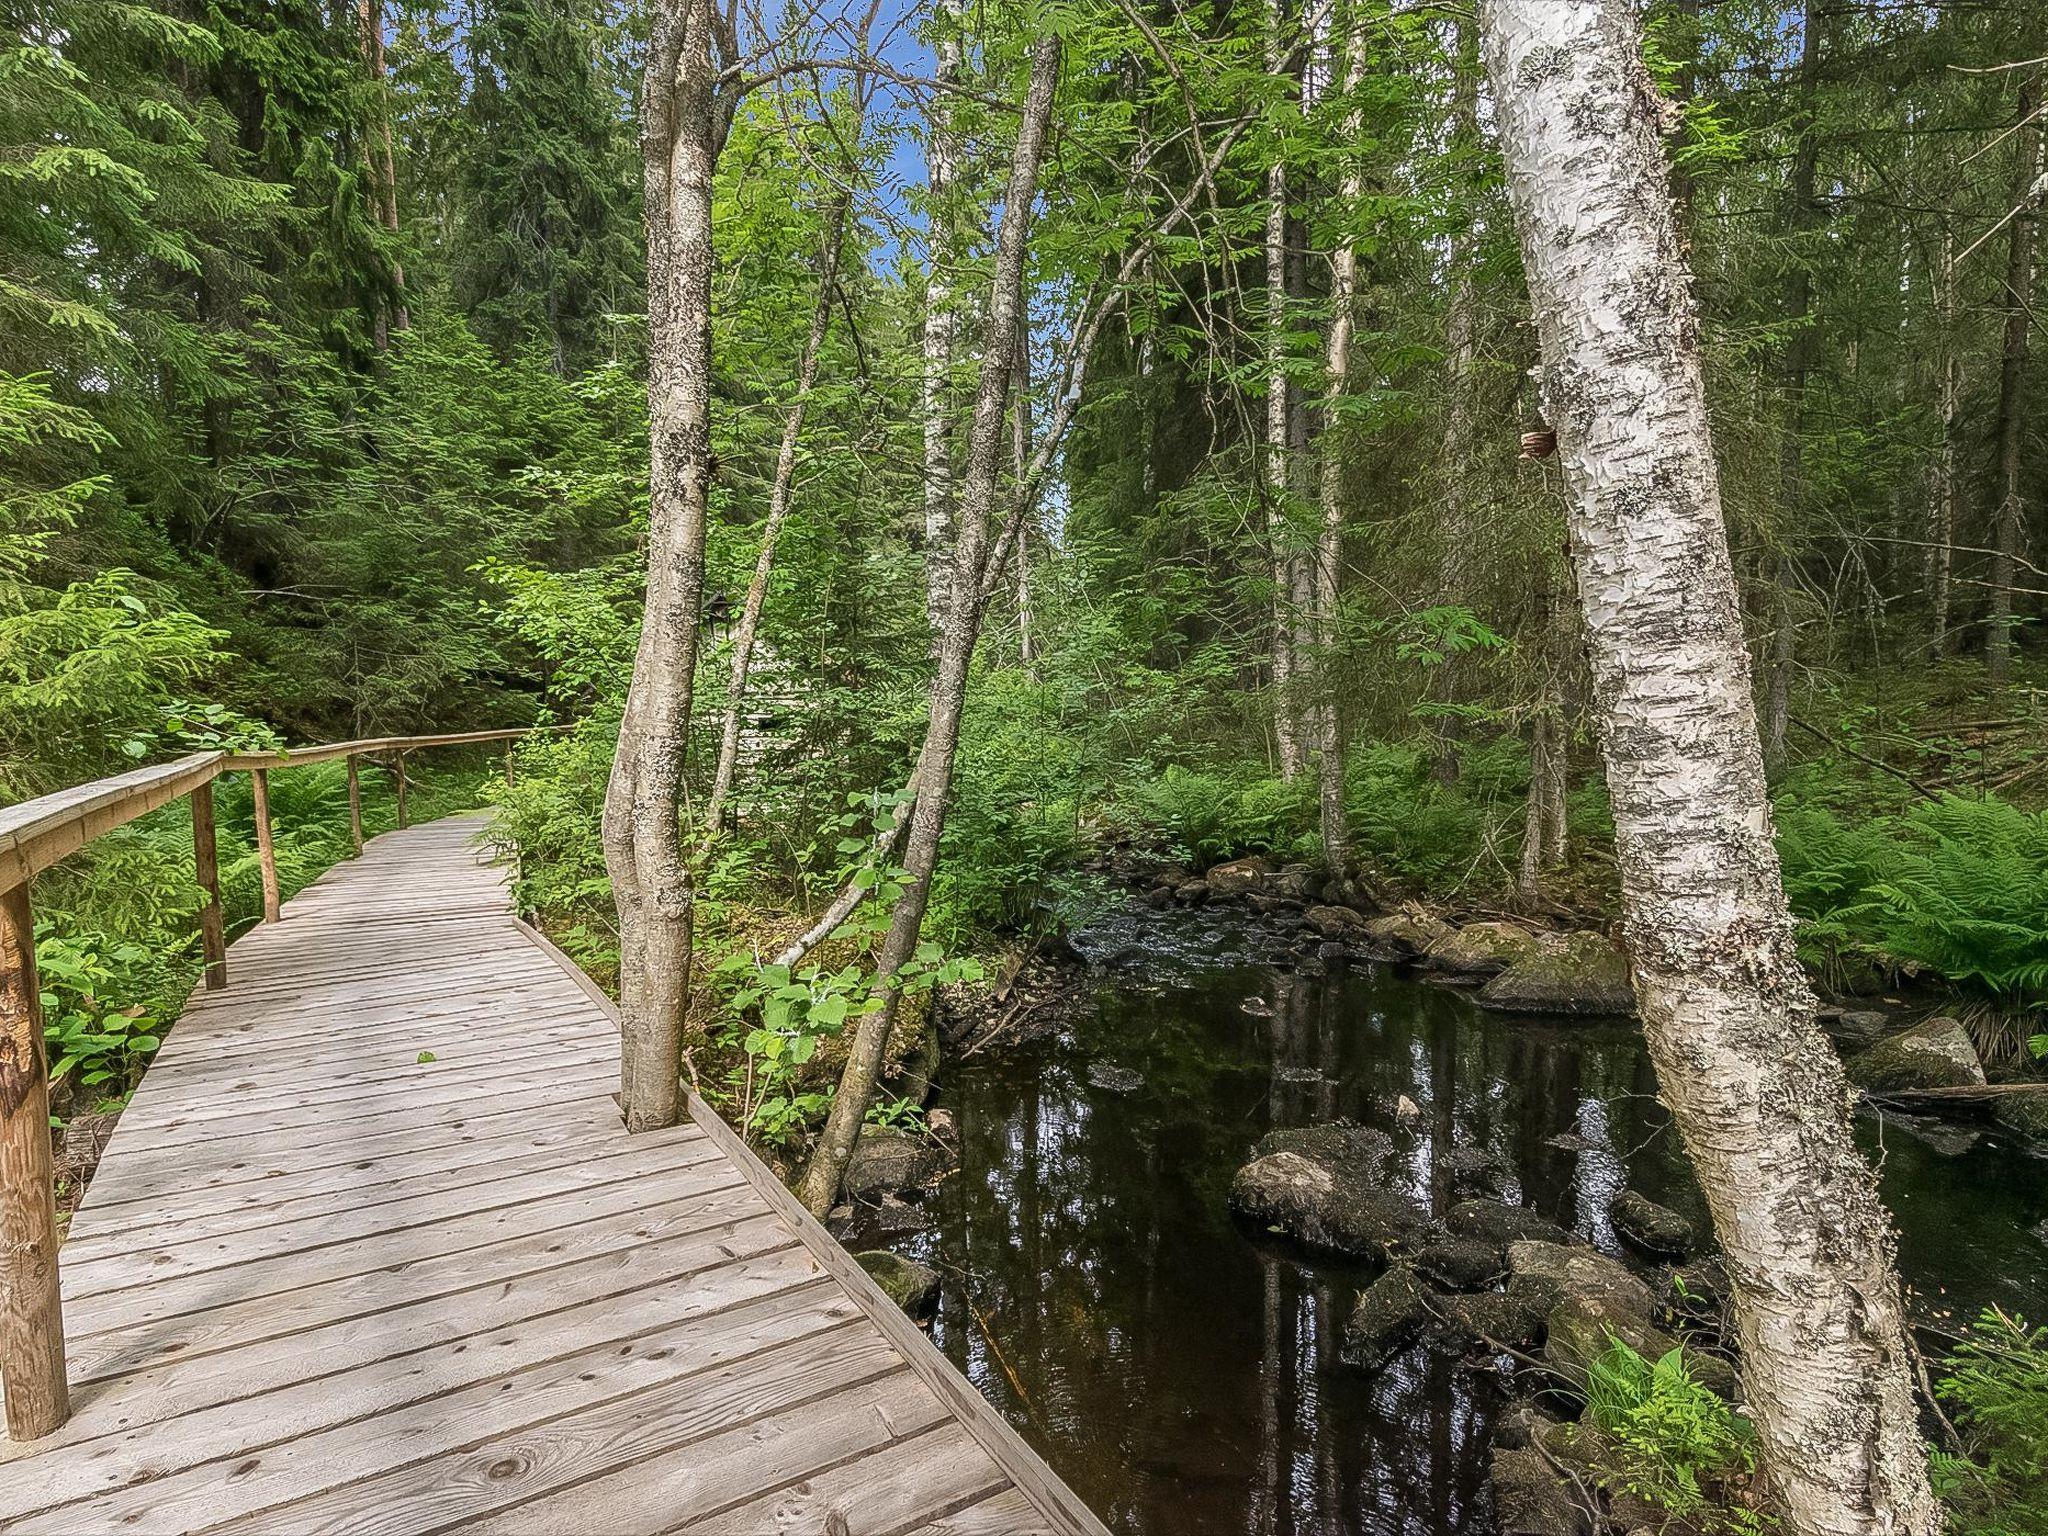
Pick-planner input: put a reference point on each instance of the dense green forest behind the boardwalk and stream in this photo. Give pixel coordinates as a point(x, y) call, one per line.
point(323, 402)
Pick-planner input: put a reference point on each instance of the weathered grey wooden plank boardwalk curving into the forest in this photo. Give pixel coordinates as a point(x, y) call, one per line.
point(372, 1254)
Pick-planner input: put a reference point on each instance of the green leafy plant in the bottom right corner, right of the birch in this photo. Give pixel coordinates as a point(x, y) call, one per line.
point(1998, 1388)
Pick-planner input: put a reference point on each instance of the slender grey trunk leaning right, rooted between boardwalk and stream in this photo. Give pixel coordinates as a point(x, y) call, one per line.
point(957, 646)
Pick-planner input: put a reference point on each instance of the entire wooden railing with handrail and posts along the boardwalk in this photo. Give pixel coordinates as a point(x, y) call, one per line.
point(34, 837)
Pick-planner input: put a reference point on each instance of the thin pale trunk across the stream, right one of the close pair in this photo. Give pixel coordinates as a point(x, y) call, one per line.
point(1330, 542)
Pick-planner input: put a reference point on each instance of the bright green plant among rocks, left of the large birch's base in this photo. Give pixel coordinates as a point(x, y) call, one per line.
point(1672, 1443)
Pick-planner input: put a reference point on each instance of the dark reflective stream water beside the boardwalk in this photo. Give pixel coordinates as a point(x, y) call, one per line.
point(1187, 1379)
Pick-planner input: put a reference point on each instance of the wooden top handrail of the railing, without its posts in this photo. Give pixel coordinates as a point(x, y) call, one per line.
point(50, 828)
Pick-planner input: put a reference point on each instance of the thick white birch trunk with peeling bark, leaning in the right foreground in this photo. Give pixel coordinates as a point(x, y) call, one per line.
point(1754, 1086)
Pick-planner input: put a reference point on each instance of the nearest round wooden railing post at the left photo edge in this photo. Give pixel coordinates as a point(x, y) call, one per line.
point(32, 1316)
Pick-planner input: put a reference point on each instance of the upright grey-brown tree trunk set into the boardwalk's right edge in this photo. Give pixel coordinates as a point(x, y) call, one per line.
point(683, 132)
